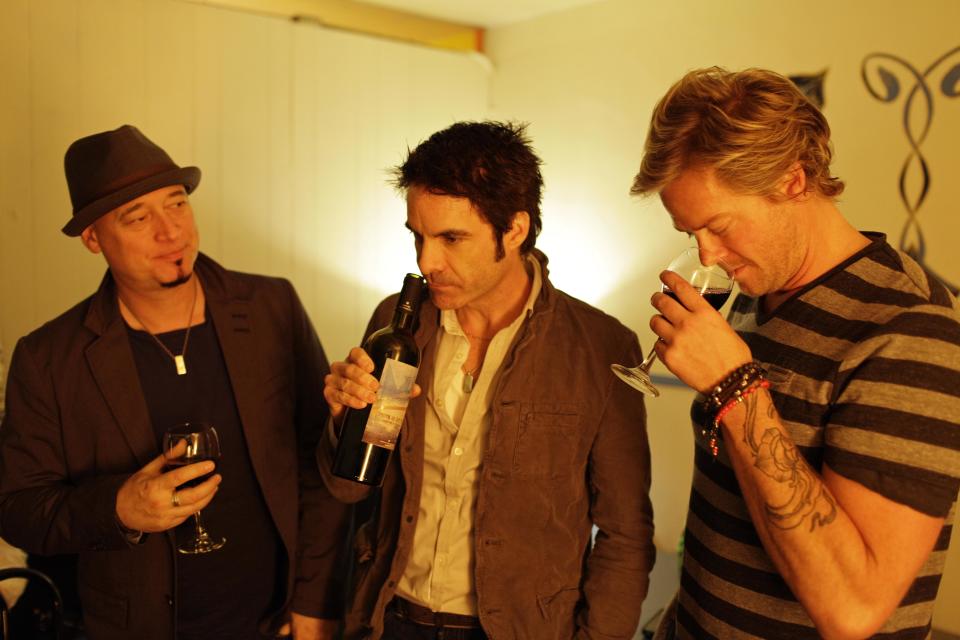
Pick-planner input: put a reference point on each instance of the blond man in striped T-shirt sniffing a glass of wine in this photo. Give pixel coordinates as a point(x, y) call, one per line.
point(827, 458)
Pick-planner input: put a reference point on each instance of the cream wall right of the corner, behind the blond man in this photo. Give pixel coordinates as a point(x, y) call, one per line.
point(587, 80)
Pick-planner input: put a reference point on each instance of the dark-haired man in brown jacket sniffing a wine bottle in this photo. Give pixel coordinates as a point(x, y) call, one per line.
point(521, 439)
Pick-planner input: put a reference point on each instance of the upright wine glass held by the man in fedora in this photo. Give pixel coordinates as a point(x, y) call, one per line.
point(202, 443)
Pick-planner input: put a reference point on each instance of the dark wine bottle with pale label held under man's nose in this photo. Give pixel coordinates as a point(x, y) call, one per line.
point(369, 435)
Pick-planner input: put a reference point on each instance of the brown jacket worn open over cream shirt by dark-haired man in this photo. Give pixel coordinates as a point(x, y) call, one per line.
point(567, 451)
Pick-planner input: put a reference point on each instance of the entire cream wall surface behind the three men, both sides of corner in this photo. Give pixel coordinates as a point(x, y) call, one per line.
point(293, 126)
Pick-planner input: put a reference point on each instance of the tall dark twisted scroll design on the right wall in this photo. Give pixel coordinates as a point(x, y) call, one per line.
point(879, 72)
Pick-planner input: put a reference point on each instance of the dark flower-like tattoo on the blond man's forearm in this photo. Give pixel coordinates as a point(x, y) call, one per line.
point(777, 457)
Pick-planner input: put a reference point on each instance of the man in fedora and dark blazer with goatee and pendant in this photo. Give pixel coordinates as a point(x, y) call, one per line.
point(169, 337)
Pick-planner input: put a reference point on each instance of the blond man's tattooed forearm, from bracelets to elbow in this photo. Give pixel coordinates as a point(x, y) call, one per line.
point(845, 583)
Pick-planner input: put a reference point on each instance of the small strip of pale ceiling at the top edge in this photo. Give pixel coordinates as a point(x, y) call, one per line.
point(480, 13)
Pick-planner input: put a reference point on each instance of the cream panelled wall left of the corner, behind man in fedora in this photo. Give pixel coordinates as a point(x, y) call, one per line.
point(292, 125)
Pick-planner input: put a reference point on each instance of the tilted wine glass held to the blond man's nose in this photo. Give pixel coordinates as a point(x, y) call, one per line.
point(712, 283)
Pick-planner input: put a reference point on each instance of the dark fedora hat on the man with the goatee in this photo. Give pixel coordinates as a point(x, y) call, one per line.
point(110, 168)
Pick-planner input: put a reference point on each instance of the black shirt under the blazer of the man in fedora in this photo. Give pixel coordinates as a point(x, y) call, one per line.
point(224, 593)
